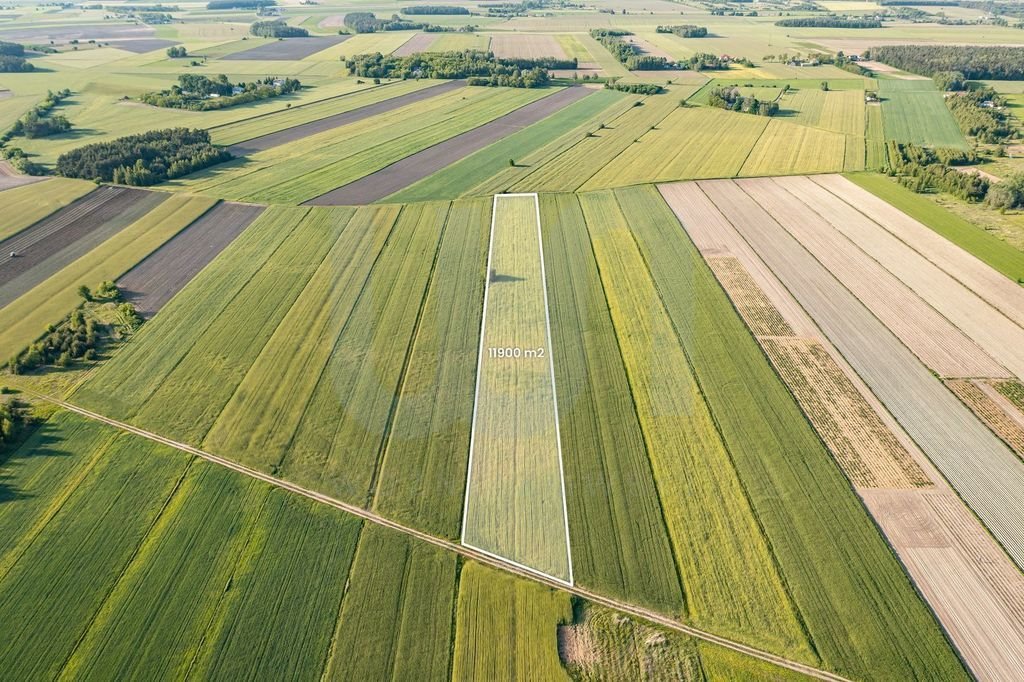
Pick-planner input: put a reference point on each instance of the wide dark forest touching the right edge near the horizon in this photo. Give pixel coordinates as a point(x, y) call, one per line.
point(974, 62)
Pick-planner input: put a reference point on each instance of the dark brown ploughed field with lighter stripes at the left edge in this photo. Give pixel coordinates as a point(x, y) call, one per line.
point(69, 234)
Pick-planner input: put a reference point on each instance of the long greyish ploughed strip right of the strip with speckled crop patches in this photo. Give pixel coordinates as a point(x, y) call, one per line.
point(993, 481)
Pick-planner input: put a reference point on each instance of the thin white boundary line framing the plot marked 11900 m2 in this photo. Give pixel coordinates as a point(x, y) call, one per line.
point(554, 395)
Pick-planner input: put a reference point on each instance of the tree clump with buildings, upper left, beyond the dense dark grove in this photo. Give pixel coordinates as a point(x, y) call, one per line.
point(200, 94)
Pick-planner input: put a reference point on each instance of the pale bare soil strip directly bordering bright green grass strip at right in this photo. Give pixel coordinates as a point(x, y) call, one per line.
point(1005, 295)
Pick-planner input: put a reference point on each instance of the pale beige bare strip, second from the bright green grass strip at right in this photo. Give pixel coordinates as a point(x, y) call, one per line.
point(1000, 337)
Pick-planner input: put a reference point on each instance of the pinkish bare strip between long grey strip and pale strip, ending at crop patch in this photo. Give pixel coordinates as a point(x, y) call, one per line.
point(941, 346)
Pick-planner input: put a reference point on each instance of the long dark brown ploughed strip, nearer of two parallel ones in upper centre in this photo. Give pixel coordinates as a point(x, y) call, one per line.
point(418, 166)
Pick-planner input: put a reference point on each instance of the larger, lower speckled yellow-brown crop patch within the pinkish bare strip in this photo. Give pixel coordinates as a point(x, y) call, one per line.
point(867, 451)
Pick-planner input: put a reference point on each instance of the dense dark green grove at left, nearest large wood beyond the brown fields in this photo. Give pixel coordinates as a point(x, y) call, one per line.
point(144, 159)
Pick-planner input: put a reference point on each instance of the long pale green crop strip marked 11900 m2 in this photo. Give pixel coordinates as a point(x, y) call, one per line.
point(516, 493)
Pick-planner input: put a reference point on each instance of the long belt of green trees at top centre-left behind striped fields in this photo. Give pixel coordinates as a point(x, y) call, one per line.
point(481, 68)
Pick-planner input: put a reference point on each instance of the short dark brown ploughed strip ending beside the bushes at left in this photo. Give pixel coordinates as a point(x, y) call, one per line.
point(166, 272)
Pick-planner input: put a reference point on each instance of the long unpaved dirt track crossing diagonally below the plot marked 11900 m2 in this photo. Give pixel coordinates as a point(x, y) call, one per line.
point(467, 552)
